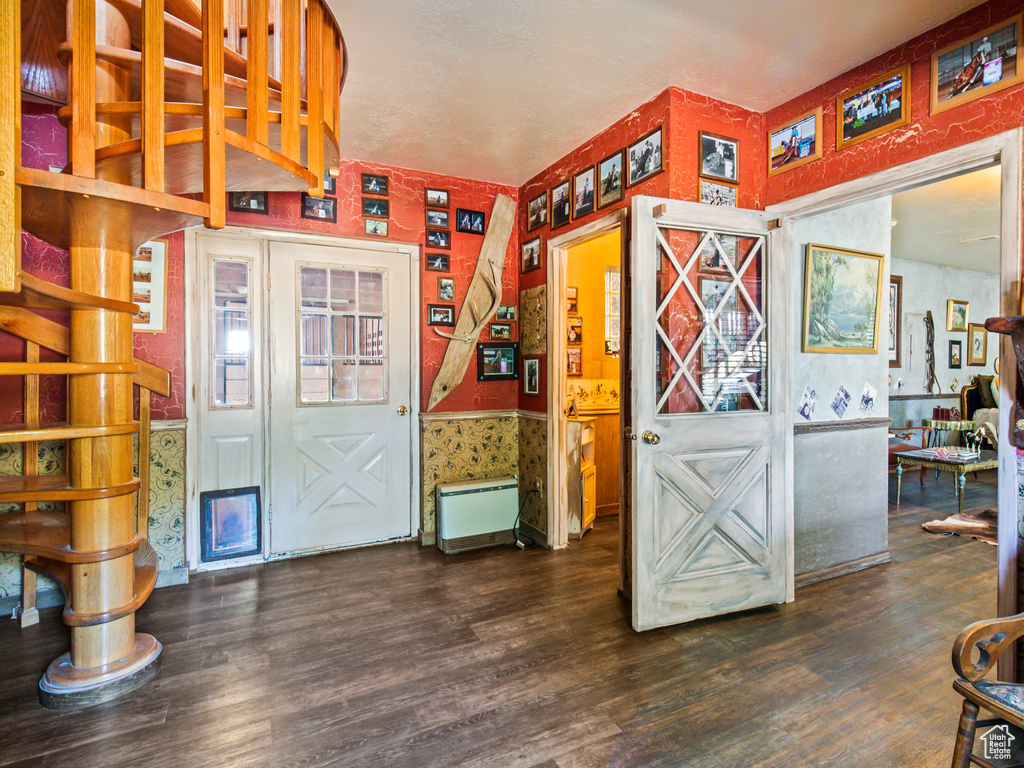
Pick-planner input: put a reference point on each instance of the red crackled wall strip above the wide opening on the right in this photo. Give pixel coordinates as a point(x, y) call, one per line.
point(926, 136)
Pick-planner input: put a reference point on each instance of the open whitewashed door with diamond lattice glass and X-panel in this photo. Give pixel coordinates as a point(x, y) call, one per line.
point(712, 529)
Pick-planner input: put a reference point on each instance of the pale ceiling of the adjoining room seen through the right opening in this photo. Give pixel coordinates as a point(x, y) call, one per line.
point(945, 223)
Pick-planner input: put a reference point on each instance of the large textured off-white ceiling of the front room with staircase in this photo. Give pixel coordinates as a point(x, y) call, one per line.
point(500, 90)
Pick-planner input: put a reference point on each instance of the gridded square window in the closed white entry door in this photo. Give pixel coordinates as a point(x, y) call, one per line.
point(352, 366)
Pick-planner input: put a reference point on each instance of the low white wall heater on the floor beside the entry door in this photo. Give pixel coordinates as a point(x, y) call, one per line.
point(478, 514)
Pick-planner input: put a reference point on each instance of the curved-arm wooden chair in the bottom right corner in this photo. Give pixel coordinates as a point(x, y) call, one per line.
point(1006, 701)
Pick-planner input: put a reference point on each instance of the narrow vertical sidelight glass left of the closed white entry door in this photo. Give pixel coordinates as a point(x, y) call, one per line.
point(232, 348)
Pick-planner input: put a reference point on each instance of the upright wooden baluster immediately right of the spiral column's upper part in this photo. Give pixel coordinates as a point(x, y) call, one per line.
point(153, 95)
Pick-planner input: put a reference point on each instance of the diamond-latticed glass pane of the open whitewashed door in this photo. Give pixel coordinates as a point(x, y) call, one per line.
point(710, 323)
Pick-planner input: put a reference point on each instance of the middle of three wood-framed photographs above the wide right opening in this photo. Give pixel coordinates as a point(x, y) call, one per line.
point(877, 107)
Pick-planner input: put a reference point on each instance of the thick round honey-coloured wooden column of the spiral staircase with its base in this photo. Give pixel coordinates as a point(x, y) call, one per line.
point(107, 659)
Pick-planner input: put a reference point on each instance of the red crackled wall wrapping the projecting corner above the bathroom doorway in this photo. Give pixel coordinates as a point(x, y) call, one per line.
point(684, 115)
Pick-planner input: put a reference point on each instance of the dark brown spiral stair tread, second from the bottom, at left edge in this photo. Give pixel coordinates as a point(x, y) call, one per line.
point(45, 534)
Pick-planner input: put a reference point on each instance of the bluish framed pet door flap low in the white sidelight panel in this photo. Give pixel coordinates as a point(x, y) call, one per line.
point(232, 524)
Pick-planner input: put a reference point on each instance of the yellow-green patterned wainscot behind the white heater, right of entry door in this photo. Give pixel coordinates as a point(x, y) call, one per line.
point(458, 450)
